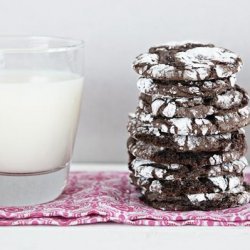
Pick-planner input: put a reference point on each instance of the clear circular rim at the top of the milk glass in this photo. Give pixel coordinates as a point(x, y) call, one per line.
point(64, 44)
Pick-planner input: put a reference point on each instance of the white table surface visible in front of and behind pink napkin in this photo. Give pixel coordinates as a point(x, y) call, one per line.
point(119, 237)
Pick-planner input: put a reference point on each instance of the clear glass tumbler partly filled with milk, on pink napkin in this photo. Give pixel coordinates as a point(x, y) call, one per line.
point(41, 81)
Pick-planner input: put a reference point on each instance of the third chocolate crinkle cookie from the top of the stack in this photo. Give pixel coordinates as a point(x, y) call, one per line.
point(195, 107)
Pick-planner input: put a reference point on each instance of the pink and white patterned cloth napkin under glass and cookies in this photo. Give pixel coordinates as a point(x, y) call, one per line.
point(92, 197)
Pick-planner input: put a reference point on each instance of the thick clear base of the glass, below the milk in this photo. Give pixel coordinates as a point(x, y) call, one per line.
point(32, 189)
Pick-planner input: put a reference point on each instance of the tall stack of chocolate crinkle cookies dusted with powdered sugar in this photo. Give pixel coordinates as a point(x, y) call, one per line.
point(186, 145)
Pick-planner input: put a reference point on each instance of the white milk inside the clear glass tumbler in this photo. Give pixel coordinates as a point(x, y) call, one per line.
point(39, 113)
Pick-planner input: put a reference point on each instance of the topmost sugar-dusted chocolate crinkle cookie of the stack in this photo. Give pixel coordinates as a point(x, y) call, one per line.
point(187, 61)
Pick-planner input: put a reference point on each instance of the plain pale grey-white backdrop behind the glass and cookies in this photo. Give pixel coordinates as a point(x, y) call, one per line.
point(116, 31)
